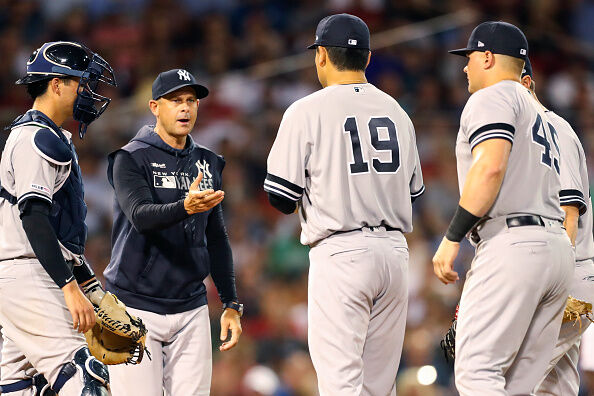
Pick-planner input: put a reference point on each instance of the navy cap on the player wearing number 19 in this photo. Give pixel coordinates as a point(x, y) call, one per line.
point(342, 30)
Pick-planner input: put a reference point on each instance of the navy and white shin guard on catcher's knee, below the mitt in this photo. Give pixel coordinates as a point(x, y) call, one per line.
point(94, 374)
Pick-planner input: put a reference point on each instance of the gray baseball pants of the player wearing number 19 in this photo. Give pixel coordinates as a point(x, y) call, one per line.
point(358, 295)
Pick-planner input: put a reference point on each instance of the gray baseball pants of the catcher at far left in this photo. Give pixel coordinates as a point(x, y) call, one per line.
point(36, 327)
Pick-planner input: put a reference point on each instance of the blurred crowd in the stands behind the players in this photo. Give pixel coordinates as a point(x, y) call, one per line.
point(218, 41)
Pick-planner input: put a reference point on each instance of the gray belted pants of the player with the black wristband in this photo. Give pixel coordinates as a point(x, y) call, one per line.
point(511, 307)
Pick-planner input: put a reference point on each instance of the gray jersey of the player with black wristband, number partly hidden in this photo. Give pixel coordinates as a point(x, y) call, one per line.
point(514, 115)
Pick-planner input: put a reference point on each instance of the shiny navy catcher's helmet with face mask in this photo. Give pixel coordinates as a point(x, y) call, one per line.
point(63, 58)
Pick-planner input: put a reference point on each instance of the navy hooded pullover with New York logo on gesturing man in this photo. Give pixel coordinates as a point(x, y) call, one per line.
point(160, 254)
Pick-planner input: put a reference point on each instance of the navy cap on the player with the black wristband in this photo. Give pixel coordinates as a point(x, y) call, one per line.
point(499, 38)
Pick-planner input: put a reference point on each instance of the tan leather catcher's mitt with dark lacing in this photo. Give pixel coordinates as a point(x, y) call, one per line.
point(117, 337)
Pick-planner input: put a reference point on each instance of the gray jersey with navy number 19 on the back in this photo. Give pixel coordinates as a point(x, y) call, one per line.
point(348, 154)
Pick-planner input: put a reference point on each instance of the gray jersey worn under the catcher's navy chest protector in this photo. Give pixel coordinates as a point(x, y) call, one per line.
point(26, 171)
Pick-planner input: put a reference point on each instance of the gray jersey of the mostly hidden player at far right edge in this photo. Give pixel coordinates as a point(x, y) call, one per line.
point(575, 187)
